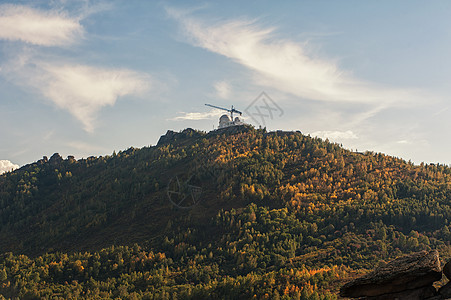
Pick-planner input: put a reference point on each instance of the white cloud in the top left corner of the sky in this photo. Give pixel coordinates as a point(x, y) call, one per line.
point(38, 27)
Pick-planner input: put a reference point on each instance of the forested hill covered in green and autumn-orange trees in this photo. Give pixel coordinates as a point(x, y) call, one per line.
point(265, 215)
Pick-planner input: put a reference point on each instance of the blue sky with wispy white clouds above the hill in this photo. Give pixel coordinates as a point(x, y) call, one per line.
point(87, 78)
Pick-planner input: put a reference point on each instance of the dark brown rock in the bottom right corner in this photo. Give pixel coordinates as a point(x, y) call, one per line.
point(409, 277)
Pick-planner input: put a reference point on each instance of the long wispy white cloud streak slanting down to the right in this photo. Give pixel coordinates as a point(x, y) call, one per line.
point(287, 65)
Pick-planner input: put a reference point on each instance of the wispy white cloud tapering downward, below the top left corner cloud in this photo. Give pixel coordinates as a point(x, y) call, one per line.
point(81, 90)
